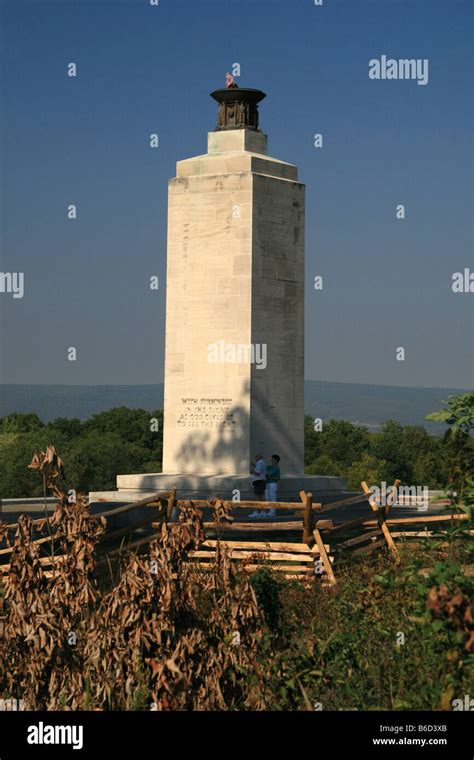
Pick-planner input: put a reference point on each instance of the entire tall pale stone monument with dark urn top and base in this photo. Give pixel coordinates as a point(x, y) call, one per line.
point(234, 351)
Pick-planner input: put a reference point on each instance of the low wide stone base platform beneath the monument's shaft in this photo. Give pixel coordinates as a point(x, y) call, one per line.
point(136, 487)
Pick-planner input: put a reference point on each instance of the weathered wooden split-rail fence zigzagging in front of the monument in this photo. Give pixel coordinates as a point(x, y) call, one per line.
point(300, 544)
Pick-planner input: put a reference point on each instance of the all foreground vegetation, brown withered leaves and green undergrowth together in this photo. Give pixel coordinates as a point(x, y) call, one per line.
point(390, 637)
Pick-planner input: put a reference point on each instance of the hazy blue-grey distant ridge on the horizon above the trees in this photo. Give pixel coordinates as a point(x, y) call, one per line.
point(368, 405)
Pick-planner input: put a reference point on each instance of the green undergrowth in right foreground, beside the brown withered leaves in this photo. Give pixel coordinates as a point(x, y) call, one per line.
point(388, 638)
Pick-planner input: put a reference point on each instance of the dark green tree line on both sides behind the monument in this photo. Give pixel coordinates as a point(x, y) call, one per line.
point(123, 440)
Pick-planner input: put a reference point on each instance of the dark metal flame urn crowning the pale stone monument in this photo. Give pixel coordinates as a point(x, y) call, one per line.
point(238, 108)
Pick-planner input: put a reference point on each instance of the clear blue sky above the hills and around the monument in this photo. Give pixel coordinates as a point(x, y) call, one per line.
point(143, 69)
